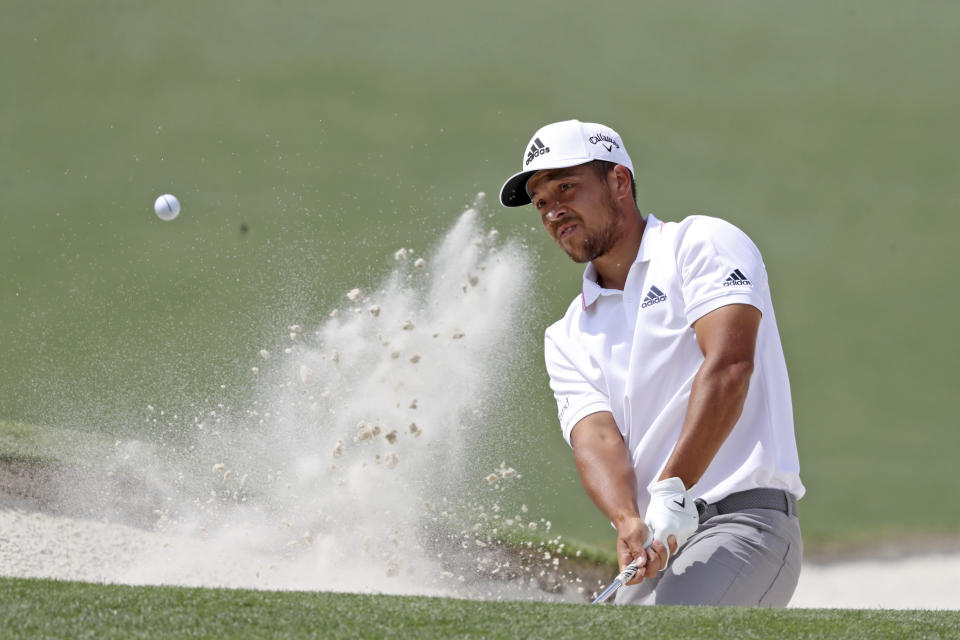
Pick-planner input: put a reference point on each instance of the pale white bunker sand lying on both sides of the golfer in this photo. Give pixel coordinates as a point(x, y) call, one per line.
point(34, 544)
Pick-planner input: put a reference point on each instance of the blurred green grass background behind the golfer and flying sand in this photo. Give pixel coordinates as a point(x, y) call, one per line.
point(334, 133)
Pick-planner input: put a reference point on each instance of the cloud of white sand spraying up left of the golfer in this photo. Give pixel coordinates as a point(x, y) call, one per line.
point(357, 464)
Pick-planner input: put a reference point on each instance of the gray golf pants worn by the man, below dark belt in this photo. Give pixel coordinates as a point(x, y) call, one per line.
point(747, 558)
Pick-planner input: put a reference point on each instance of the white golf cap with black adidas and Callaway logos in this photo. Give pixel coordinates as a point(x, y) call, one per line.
point(560, 145)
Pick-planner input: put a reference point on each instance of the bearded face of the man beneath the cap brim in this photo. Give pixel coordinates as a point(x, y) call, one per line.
point(577, 210)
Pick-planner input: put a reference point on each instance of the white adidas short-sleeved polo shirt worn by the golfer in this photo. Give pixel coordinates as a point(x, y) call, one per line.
point(634, 353)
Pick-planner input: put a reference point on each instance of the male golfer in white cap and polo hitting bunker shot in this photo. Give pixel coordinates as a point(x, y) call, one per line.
point(670, 381)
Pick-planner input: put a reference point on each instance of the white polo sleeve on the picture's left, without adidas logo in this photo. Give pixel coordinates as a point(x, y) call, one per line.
point(574, 385)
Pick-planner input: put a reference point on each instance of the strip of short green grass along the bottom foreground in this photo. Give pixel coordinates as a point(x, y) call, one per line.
point(48, 609)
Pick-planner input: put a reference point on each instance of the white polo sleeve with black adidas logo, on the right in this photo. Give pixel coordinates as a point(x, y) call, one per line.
point(719, 265)
